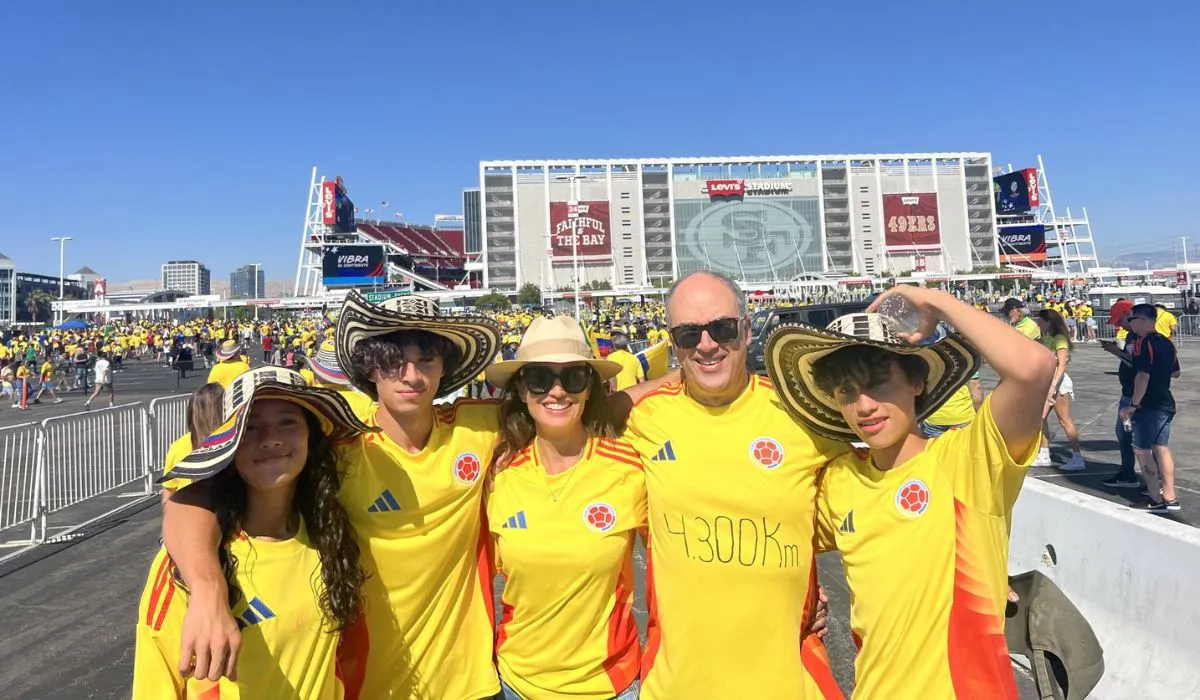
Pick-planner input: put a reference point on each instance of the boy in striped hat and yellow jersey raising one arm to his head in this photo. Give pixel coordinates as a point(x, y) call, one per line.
point(935, 510)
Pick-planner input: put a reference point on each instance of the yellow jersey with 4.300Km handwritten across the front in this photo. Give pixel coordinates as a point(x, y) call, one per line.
point(731, 494)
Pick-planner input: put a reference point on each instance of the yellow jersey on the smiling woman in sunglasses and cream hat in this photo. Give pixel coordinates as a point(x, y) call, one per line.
point(565, 545)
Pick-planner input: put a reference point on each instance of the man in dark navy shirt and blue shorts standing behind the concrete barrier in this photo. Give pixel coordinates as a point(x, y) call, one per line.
point(1153, 408)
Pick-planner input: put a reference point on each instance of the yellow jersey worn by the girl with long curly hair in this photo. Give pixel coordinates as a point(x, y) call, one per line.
point(289, 649)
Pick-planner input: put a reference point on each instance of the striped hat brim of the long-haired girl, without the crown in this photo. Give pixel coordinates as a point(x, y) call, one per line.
point(217, 452)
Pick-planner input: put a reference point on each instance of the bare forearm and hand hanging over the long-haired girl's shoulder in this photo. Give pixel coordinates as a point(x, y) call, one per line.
point(211, 639)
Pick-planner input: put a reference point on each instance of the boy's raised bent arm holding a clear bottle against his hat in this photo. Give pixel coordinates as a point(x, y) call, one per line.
point(1025, 367)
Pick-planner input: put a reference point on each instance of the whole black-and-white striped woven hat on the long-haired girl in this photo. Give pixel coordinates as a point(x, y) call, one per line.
point(215, 453)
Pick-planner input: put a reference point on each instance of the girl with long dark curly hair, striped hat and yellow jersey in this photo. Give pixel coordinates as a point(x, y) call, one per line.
point(287, 546)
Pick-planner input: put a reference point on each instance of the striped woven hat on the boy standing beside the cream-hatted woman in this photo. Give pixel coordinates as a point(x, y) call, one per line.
point(478, 338)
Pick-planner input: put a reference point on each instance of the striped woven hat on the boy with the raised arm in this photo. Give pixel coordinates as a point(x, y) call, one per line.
point(793, 350)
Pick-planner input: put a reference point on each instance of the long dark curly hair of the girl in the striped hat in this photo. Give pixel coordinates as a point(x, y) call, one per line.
point(328, 524)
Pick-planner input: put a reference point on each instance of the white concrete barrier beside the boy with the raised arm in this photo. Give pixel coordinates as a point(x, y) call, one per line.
point(1135, 576)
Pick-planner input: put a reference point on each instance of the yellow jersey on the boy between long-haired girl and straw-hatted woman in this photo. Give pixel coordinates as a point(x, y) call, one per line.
point(429, 599)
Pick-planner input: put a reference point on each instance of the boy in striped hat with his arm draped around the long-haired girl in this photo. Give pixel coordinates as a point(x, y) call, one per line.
point(413, 493)
